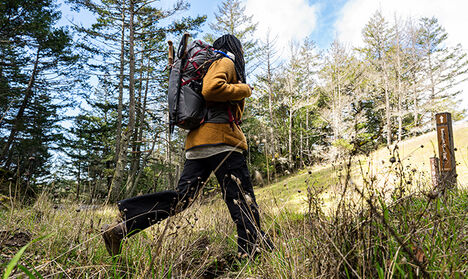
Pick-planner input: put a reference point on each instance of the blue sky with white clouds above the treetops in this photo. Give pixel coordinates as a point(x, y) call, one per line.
point(326, 20)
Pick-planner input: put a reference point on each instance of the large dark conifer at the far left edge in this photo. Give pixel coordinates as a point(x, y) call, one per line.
point(35, 59)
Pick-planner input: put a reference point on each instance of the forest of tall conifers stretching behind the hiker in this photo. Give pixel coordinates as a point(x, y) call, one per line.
point(308, 107)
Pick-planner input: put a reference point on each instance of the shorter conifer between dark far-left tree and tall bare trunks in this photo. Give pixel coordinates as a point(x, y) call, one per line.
point(89, 145)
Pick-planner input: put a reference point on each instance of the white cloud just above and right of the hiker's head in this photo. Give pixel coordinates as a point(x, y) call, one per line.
point(288, 20)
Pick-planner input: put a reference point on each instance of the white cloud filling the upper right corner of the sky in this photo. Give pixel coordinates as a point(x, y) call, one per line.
point(450, 13)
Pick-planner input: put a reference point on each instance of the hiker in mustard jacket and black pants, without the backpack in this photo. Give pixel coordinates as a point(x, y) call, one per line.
point(211, 147)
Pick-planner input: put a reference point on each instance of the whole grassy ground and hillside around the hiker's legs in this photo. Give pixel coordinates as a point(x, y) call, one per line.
point(321, 227)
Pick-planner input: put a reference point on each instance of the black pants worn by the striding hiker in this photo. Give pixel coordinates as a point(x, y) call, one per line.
point(143, 211)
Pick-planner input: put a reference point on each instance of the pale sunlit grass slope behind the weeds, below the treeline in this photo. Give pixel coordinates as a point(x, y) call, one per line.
point(291, 192)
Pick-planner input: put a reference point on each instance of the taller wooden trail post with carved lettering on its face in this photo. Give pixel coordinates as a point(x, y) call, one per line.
point(448, 175)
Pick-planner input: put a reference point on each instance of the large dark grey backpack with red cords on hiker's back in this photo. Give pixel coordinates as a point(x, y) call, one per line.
point(187, 107)
